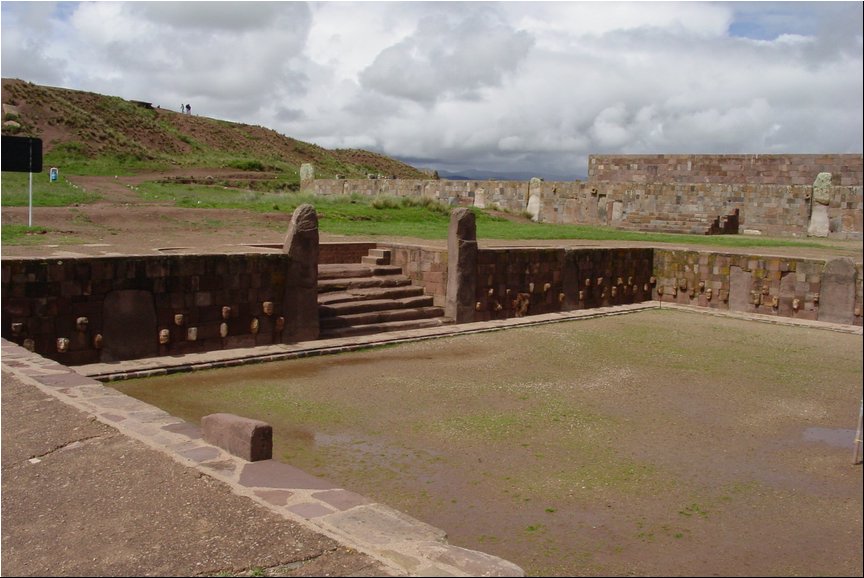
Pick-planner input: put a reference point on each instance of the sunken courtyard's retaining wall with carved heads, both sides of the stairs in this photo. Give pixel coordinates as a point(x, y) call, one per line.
point(90, 310)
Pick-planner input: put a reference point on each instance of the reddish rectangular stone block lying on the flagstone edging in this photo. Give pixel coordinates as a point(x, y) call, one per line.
point(249, 439)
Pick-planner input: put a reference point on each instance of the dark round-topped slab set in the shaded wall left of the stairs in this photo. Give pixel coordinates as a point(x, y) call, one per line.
point(129, 328)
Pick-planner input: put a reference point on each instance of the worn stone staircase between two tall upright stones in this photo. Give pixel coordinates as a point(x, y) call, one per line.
point(372, 296)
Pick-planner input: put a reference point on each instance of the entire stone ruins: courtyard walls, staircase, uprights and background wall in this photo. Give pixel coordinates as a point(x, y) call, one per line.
point(87, 310)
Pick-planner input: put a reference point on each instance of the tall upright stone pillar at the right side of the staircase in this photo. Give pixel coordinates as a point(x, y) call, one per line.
point(461, 266)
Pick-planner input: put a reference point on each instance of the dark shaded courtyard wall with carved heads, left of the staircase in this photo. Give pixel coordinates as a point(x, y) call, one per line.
point(90, 310)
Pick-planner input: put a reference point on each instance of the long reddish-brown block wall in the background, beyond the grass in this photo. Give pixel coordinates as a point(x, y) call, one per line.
point(679, 193)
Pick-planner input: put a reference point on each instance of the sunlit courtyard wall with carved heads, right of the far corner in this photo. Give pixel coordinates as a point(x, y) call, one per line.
point(786, 287)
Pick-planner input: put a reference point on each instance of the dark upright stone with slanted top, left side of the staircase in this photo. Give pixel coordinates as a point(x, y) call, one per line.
point(301, 284)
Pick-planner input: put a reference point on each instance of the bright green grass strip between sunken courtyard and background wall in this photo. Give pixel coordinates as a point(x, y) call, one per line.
point(353, 215)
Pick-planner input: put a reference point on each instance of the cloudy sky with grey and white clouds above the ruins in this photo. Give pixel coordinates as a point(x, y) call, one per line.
point(501, 87)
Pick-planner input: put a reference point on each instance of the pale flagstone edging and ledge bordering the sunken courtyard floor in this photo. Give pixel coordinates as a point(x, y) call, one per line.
point(392, 542)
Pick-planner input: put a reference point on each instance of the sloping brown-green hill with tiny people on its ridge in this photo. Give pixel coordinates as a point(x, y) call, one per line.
point(90, 133)
